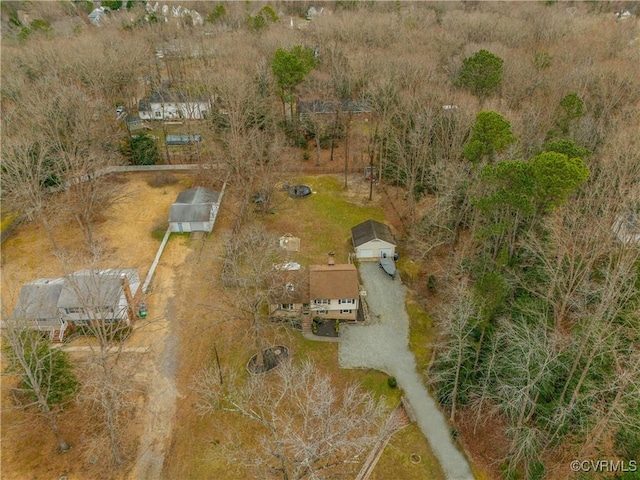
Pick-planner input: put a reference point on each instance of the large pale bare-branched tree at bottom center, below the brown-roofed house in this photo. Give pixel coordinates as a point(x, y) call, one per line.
point(306, 428)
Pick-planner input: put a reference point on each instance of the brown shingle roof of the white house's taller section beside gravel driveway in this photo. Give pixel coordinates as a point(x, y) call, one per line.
point(333, 281)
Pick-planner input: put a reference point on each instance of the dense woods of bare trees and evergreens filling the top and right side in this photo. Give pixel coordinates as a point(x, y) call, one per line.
point(510, 129)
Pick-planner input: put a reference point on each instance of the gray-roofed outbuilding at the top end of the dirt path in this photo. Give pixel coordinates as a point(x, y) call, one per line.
point(194, 210)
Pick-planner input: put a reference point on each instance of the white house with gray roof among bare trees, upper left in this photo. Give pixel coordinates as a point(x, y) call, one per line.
point(169, 105)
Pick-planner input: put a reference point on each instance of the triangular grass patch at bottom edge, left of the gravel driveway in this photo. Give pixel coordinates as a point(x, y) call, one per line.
point(395, 461)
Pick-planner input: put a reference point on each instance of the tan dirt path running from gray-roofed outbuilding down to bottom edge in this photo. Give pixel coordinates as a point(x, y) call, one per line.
point(161, 334)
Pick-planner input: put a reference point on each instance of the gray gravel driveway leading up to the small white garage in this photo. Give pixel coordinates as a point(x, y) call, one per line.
point(383, 345)
